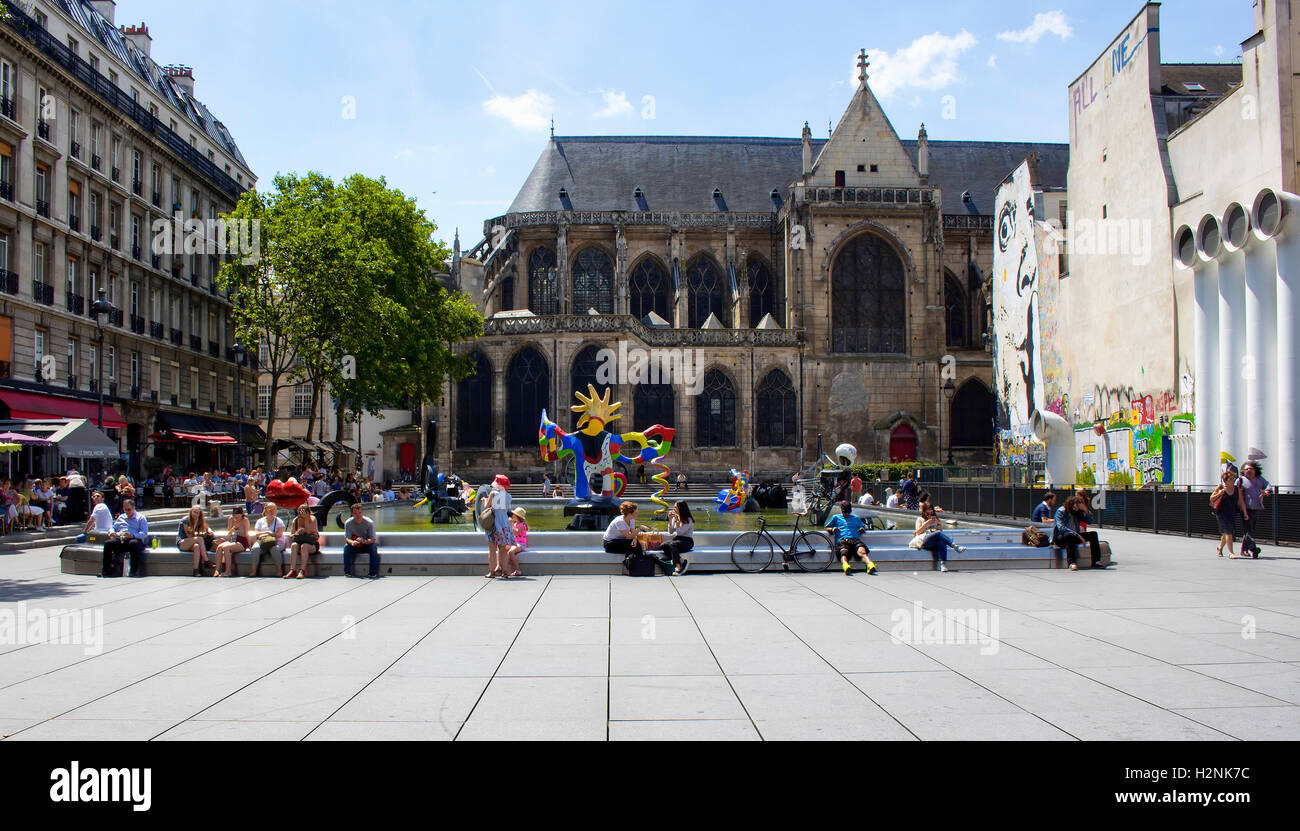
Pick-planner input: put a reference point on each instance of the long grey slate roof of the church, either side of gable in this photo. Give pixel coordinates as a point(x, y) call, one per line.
point(681, 174)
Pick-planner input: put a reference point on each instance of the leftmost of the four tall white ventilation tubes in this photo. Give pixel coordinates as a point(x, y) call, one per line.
point(1206, 334)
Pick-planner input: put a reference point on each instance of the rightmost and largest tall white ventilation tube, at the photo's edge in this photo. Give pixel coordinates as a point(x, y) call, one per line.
point(1277, 215)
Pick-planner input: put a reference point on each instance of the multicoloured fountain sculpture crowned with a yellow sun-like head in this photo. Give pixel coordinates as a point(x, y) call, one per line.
point(595, 449)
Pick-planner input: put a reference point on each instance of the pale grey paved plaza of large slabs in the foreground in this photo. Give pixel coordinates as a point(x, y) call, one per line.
point(1169, 644)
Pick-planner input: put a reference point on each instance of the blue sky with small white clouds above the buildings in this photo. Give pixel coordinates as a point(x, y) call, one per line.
point(453, 101)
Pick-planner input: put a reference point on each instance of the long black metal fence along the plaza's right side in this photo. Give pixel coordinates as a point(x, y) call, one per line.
point(1177, 512)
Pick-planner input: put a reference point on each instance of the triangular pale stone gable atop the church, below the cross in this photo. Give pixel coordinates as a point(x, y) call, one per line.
point(865, 137)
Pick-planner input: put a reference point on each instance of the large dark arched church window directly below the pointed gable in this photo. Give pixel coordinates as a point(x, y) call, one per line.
point(868, 298)
